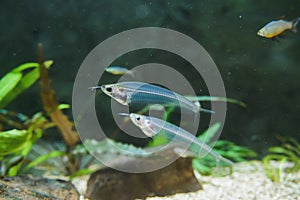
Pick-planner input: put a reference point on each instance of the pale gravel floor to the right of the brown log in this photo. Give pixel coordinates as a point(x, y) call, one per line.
point(248, 181)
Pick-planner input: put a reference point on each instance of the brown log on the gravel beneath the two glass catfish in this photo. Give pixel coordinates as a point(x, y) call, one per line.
point(109, 183)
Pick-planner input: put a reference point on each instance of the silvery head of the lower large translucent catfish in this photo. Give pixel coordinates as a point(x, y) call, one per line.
point(144, 123)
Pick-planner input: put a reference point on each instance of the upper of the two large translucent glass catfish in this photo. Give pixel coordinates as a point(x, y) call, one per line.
point(138, 94)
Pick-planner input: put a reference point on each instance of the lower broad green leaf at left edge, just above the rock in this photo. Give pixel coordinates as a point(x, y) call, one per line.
point(13, 140)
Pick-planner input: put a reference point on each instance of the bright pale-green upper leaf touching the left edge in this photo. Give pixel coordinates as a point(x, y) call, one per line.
point(7, 84)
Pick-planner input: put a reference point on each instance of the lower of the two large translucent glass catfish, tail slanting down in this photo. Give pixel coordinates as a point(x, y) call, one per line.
point(152, 126)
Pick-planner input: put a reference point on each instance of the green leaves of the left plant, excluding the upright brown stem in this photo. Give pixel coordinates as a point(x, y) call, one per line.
point(22, 133)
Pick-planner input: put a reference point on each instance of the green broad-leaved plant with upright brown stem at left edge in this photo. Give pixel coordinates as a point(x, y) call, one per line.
point(23, 132)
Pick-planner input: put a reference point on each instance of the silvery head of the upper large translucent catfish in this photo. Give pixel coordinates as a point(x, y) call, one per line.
point(116, 92)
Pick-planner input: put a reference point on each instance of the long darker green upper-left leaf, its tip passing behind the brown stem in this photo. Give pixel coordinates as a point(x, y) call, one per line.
point(24, 82)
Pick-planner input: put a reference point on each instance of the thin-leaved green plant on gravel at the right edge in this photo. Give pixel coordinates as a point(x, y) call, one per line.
point(287, 157)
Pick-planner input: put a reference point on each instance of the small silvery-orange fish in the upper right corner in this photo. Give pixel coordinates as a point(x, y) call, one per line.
point(276, 27)
